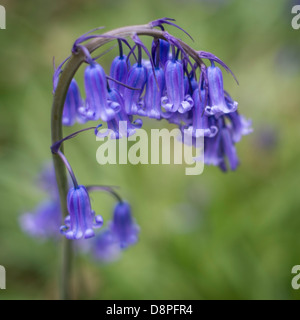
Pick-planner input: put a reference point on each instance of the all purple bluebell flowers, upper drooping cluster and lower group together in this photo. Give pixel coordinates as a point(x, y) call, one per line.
point(170, 82)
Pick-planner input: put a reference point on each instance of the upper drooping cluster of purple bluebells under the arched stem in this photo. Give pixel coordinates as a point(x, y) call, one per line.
point(172, 83)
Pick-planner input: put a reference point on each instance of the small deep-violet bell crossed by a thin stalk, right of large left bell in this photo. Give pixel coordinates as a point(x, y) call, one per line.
point(119, 72)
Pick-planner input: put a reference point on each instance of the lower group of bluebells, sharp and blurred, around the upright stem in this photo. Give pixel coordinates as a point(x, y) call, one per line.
point(120, 233)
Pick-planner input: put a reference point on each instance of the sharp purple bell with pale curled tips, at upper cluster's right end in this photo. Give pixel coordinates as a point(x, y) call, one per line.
point(217, 104)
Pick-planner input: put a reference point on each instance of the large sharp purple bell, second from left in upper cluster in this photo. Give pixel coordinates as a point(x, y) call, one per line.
point(96, 94)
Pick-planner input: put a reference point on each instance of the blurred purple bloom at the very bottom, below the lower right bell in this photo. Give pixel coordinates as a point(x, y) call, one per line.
point(105, 247)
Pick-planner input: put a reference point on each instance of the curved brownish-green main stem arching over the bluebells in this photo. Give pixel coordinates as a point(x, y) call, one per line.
point(65, 79)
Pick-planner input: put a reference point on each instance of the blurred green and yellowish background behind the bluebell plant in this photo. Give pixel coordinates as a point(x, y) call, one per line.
point(213, 236)
